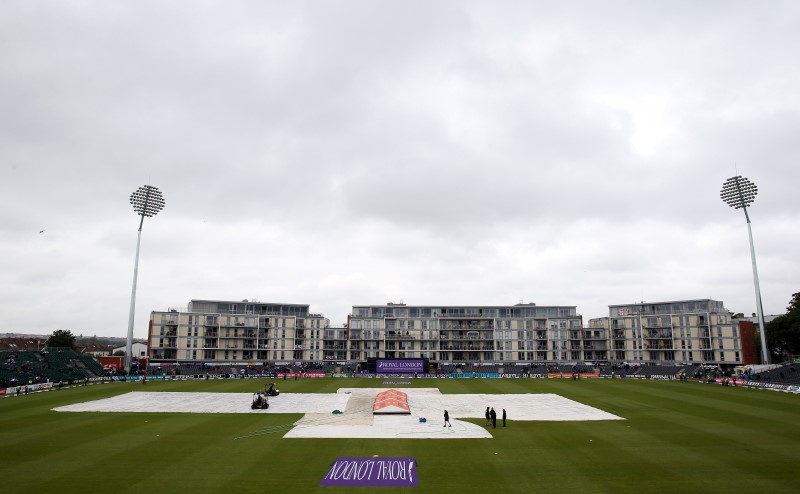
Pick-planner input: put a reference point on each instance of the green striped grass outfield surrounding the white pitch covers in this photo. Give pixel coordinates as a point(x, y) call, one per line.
point(678, 437)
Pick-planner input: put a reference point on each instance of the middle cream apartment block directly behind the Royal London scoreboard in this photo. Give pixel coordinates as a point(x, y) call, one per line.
point(521, 333)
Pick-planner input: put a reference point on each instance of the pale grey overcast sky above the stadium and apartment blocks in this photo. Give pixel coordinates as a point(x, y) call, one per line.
point(341, 153)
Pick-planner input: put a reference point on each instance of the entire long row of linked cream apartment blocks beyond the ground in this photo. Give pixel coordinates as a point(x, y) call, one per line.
point(213, 331)
